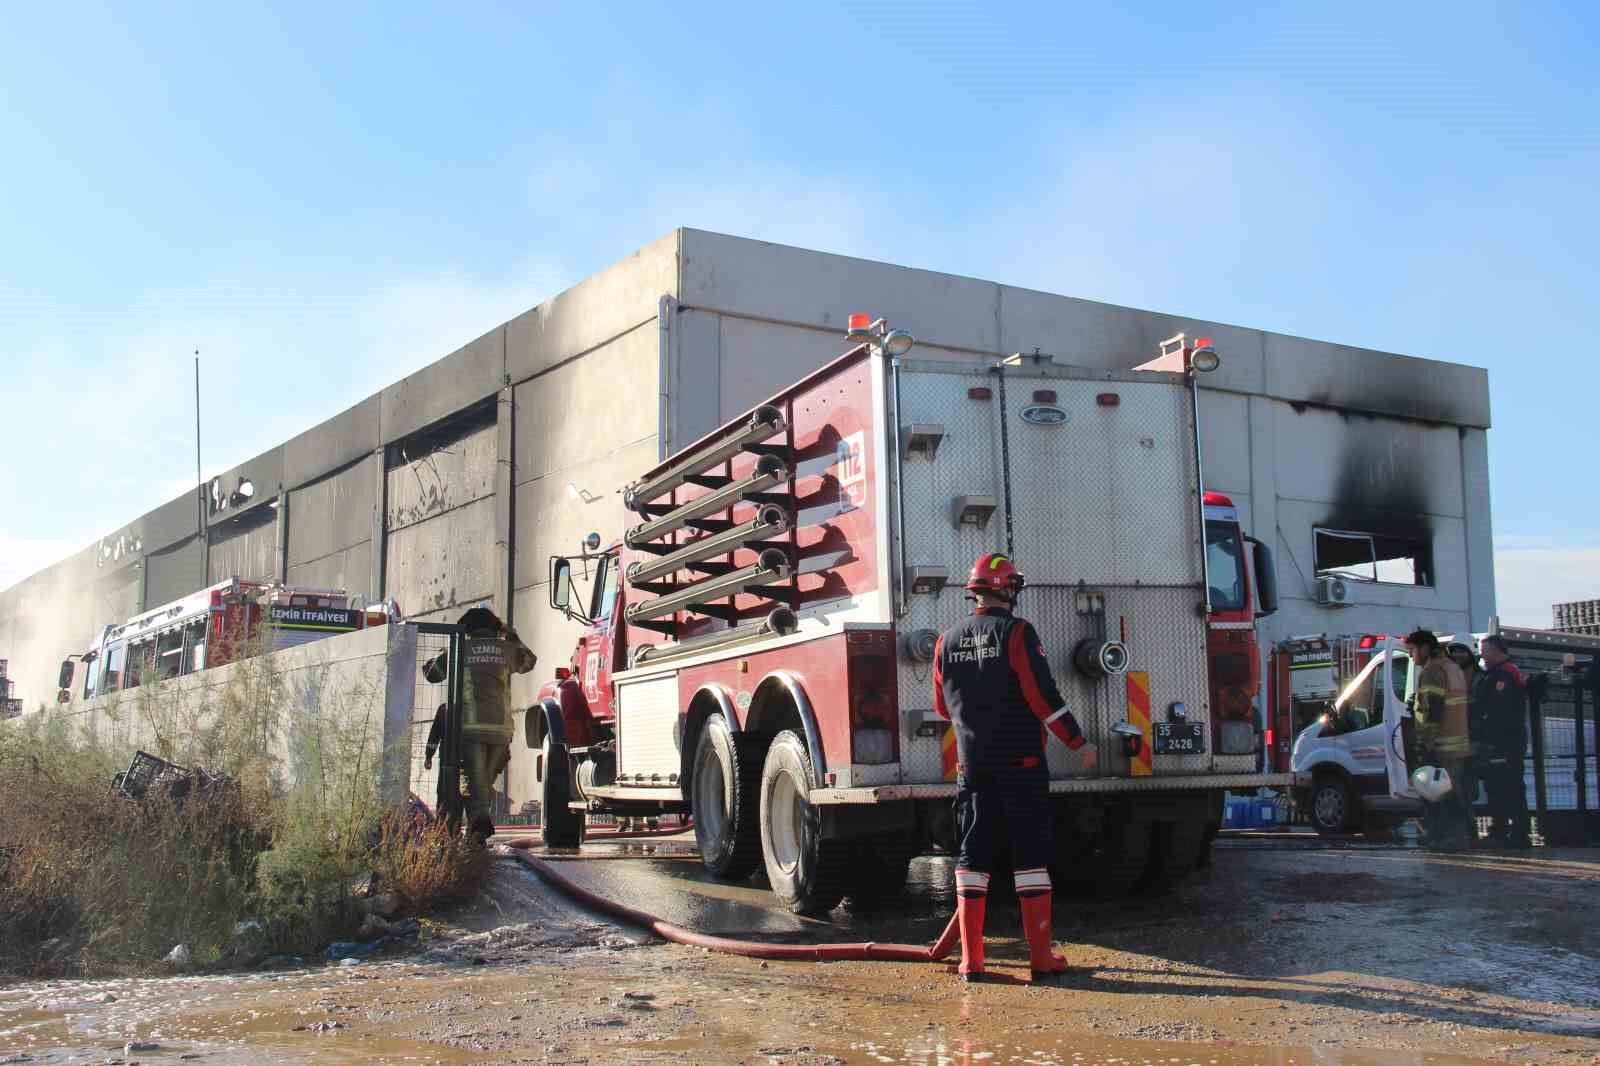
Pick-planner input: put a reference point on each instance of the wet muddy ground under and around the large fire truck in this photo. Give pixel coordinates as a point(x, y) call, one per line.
point(1284, 953)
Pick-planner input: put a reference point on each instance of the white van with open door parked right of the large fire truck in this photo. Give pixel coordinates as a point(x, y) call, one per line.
point(1356, 753)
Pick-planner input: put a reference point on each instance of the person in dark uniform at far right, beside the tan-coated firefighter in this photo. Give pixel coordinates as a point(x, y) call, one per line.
point(1500, 742)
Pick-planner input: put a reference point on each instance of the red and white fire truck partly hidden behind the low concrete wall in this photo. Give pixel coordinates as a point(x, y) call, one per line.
point(210, 628)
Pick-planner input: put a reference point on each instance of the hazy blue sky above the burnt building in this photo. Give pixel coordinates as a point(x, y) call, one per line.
point(327, 198)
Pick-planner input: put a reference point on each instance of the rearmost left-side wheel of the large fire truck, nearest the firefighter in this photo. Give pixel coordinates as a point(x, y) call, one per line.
point(806, 872)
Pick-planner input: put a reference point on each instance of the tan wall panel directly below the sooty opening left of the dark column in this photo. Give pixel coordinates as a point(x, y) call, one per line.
point(444, 563)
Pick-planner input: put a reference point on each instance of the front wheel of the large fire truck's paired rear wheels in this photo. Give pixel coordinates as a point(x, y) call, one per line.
point(726, 801)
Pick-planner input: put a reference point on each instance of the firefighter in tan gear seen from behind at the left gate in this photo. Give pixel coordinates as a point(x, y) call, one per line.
point(492, 654)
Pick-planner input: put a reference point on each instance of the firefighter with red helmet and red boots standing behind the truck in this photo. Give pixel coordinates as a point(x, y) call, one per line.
point(993, 683)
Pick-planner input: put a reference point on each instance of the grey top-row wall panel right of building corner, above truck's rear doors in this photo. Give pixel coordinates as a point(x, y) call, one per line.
point(764, 281)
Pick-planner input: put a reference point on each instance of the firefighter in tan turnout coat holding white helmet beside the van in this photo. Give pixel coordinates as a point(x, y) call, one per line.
point(1441, 715)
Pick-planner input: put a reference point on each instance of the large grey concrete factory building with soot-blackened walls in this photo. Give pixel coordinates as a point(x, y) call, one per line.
point(454, 486)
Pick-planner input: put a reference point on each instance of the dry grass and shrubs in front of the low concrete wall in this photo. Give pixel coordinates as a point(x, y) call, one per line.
point(94, 883)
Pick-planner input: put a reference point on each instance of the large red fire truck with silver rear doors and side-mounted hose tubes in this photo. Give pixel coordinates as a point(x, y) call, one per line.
point(758, 647)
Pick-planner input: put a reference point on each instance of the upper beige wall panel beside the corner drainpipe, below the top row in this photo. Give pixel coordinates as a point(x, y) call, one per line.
point(590, 407)
